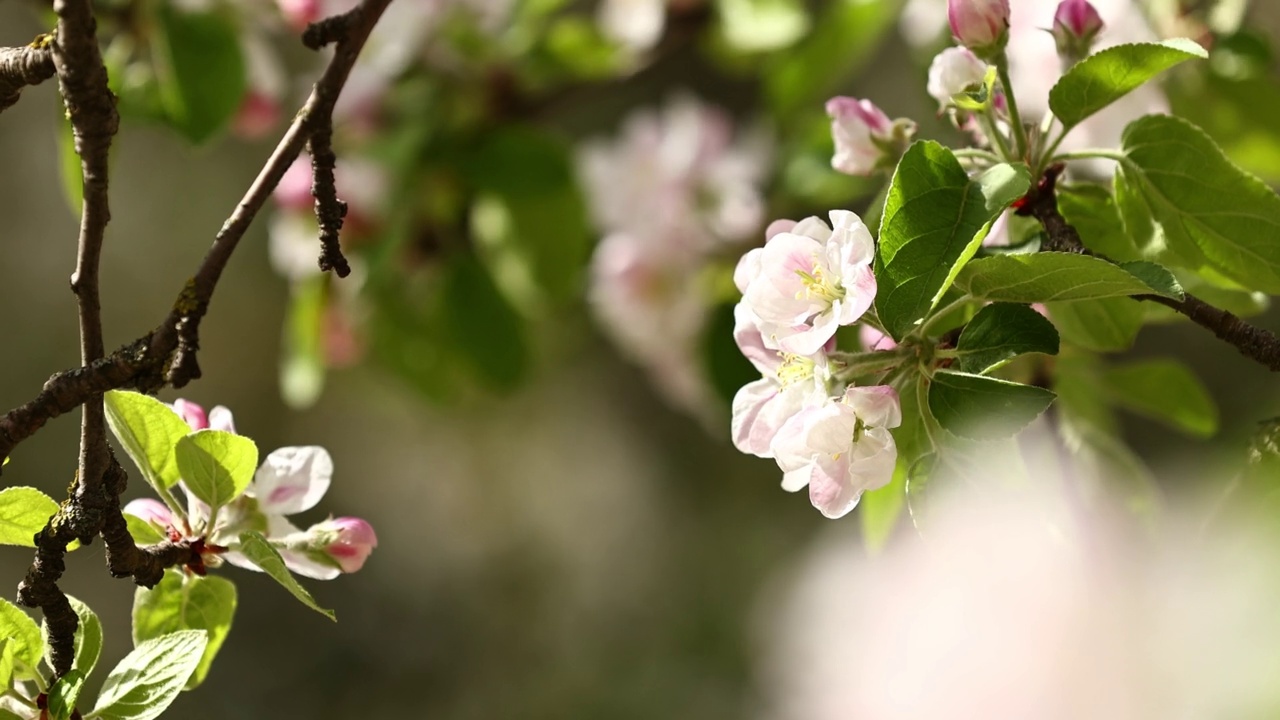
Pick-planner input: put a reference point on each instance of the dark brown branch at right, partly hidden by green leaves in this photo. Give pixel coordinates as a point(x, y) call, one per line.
point(1256, 344)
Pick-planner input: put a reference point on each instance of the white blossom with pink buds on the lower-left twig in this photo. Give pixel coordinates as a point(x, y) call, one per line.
point(291, 481)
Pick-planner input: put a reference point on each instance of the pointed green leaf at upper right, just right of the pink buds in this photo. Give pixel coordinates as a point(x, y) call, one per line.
point(1109, 75)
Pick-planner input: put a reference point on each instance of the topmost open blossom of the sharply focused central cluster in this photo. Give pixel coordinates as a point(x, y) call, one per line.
point(806, 284)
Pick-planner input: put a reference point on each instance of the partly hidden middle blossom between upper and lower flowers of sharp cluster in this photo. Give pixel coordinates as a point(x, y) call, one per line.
point(789, 384)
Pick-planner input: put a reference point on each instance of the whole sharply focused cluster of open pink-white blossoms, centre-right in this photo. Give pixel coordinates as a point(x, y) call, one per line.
point(807, 281)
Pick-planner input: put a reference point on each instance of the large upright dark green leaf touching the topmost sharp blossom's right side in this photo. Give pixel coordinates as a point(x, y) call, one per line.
point(935, 221)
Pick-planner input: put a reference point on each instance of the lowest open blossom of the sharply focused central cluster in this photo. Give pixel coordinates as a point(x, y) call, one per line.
point(840, 449)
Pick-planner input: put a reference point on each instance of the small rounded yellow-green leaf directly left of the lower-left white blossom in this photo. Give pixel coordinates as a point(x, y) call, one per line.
point(217, 466)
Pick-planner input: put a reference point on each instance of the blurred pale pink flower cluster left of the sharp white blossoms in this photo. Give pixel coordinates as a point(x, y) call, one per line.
point(671, 194)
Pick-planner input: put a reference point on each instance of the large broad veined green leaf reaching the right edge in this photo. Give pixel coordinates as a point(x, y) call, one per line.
point(1212, 212)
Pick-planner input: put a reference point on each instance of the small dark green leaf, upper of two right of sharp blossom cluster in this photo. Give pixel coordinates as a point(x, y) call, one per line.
point(1002, 332)
